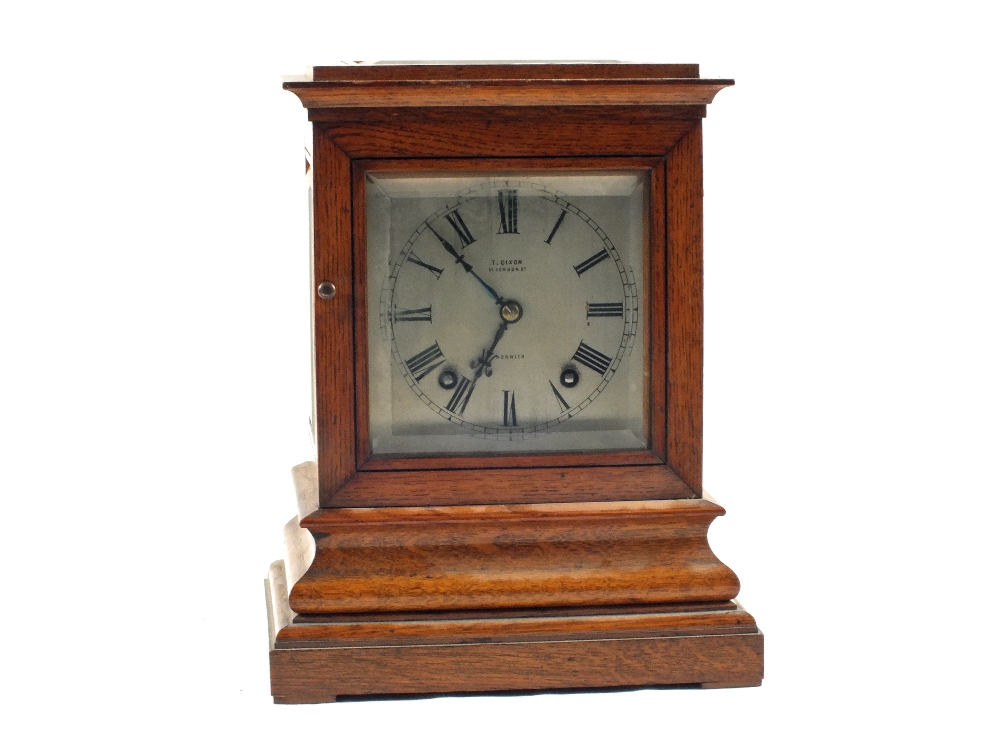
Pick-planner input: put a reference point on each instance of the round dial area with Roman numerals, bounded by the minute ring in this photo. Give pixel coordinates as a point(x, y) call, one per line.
point(509, 310)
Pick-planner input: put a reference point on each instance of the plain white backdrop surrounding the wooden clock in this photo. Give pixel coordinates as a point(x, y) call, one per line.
point(155, 377)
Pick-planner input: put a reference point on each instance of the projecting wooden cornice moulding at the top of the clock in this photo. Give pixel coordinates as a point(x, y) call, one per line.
point(506, 85)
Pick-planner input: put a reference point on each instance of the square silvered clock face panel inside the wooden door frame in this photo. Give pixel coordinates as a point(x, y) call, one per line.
point(510, 312)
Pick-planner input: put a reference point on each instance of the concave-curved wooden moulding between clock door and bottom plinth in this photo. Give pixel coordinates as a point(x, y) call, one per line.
point(412, 559)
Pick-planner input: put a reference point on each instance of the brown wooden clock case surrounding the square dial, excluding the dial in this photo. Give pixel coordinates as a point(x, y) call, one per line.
point(492, 573)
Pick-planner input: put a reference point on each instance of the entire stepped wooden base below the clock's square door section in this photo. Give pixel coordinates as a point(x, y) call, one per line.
point(376, 602)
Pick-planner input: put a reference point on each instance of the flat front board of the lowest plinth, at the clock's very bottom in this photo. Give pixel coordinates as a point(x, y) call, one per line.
point(323, 675)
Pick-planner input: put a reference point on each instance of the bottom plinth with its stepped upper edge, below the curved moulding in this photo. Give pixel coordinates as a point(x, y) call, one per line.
point(320, 658)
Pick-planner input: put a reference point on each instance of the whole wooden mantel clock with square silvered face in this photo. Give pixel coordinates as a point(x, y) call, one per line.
point(507, 299)
